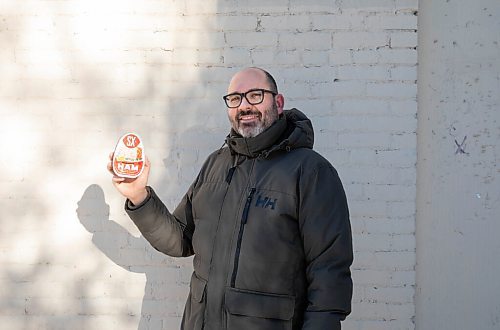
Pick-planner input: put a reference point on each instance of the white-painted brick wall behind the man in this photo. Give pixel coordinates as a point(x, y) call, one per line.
point(77, 74)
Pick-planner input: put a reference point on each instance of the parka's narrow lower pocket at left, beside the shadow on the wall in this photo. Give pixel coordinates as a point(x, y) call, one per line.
point(195, 306)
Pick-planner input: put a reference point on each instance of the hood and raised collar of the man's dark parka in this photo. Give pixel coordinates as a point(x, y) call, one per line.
point(292, 130)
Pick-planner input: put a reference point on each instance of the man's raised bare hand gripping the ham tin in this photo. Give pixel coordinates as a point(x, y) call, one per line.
point(133, 189)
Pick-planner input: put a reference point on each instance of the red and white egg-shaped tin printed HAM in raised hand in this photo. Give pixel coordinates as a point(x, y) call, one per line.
point(129, 158)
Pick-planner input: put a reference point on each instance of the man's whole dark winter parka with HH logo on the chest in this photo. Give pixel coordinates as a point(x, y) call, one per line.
point(268, 224)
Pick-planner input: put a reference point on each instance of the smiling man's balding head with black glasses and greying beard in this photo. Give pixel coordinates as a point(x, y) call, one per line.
point(260, 105)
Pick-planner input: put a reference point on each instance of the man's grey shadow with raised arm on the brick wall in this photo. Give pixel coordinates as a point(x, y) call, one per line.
point(163, 302)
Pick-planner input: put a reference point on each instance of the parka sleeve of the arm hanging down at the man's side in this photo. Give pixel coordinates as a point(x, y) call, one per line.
point(326, 234)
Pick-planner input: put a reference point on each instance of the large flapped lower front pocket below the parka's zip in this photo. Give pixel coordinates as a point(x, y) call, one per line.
point(256, 310)
